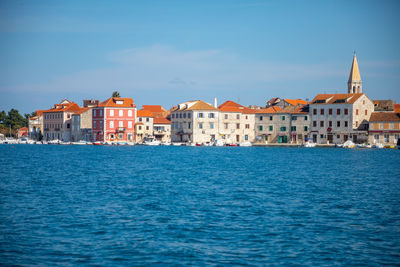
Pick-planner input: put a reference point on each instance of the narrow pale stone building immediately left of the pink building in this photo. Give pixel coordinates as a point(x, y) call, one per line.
point(81, 125)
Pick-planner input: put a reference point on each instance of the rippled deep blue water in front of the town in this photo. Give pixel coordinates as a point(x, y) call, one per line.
point(121, 206)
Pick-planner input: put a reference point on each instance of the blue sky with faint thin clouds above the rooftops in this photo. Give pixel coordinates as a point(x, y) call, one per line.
point(168, 52)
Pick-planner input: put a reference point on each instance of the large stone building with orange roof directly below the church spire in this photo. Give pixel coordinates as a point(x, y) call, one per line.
point(336, 118)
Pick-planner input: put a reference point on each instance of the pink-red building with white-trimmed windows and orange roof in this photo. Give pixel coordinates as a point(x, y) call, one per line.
point(113, 120)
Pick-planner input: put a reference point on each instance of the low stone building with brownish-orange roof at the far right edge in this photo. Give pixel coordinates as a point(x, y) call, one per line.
point(384, 128)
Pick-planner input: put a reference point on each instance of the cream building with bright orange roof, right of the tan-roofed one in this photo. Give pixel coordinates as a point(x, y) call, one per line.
point(236, 123)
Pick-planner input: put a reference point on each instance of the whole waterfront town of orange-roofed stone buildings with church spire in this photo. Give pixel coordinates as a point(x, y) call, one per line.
point(327, 119)
